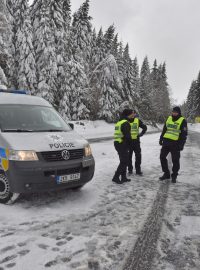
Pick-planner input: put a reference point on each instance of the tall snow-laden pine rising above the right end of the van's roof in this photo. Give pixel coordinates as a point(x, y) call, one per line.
point(45, 49)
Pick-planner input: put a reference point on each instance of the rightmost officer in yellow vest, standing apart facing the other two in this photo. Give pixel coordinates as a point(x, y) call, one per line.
point(173, 139)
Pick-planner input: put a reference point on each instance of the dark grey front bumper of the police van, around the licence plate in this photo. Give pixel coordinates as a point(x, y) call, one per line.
point(40, 176)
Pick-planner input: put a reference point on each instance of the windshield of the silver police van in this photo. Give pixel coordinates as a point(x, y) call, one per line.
point(30, 118)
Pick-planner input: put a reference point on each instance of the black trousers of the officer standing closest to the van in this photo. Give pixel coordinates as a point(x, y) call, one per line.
point(122, 150)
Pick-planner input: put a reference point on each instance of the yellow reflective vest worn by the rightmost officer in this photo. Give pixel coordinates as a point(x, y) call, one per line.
point(173, 128)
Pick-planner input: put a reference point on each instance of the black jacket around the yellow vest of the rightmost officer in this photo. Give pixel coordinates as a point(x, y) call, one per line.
point(182, 138)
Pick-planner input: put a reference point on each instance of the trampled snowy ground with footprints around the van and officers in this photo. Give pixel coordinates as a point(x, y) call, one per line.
point(96, 227)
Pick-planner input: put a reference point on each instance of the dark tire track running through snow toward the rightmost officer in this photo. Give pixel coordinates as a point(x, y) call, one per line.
point(142, 254)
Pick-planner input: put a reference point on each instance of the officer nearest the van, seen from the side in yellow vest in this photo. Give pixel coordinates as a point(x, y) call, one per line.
point(122, 141)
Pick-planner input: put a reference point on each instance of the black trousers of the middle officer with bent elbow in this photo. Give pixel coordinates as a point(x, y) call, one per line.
point(135, 147)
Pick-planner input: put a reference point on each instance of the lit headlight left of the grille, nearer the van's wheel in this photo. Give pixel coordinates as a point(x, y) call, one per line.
point(22, 155)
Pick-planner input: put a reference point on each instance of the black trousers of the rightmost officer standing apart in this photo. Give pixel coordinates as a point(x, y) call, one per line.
point(175, 153)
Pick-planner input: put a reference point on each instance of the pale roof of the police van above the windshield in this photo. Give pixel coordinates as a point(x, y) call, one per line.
point(9, 98)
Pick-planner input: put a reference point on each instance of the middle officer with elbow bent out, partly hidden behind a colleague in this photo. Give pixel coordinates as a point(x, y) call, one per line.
point(136, 123)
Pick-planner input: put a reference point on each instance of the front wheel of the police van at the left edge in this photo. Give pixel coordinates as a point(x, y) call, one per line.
point(6, 196)
